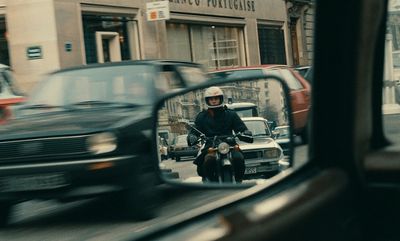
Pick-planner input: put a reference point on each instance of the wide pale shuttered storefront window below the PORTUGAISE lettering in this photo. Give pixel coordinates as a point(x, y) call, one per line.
point(213, 46)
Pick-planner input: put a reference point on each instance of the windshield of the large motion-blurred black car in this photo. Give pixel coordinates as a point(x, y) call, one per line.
point(125, 85)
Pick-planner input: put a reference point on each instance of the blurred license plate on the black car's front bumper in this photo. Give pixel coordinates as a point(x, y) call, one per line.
point(32, 182)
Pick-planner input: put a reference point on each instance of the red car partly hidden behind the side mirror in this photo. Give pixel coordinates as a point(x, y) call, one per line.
point(300, 90)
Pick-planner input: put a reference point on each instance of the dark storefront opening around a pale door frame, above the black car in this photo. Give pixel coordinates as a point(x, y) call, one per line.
point(102, 23)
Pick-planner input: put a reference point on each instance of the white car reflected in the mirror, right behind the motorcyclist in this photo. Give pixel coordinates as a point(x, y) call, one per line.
point(264, 157)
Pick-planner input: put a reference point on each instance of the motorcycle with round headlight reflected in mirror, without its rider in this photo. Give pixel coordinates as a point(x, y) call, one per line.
point(221, 148)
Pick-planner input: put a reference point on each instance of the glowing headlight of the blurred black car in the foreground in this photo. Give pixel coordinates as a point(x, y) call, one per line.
point(102, 143)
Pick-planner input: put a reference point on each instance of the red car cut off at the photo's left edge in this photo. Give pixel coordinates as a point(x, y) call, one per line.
point(10, 94)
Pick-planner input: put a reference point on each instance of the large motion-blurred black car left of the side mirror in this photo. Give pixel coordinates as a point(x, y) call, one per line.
point(86, 131)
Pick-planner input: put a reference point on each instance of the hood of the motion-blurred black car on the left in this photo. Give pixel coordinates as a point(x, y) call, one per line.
point(71, 122)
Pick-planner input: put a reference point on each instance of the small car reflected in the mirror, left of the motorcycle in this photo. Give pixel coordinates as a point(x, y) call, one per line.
point(180, 149)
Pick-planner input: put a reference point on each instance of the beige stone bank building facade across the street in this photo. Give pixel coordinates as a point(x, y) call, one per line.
point(40, 36)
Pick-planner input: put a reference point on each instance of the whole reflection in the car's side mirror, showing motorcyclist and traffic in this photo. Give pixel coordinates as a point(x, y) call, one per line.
point(236, 132)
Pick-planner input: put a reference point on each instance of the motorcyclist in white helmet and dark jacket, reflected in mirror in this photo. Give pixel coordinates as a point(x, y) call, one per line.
point(216, 120)
